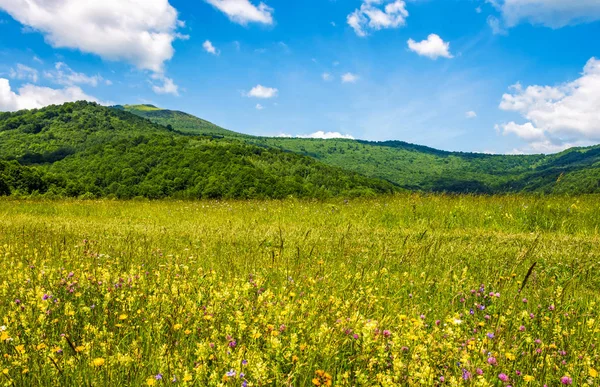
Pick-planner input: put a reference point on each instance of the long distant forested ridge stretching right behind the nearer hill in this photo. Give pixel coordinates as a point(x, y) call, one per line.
point(416, 167)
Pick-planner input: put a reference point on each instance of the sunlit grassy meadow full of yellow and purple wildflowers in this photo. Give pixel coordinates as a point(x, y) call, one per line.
point(393, 291)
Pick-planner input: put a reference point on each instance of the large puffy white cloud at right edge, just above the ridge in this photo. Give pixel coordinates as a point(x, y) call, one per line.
point(557, 115)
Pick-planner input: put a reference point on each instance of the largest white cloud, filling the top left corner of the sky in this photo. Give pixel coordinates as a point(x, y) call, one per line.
point(140, 32)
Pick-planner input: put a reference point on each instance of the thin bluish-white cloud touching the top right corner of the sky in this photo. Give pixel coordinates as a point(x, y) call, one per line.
point(550, 13)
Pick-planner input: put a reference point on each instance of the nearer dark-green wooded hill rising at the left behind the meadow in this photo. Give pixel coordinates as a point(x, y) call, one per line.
point(86, 149)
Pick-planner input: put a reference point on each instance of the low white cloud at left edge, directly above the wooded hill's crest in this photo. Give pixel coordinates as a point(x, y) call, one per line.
point(33, 97)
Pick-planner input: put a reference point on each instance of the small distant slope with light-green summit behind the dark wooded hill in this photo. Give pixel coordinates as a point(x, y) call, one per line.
point(182, 121)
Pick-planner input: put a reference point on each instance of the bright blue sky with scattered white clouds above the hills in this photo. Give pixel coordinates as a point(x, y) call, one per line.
point(494, 76)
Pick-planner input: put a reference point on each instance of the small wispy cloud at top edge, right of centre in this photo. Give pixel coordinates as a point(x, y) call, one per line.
point(374, 15)
